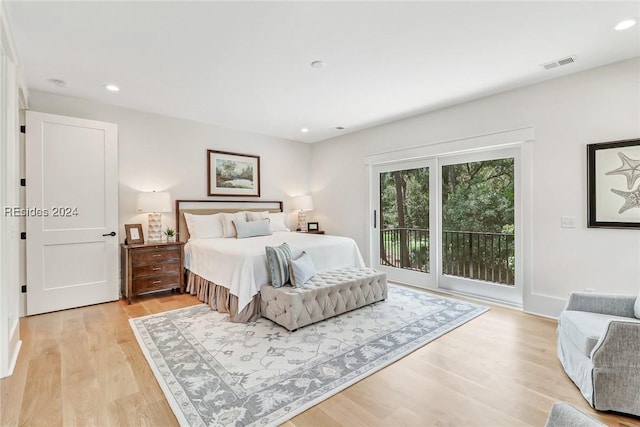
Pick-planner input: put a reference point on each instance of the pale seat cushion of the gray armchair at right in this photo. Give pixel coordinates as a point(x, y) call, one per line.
point(585, 329)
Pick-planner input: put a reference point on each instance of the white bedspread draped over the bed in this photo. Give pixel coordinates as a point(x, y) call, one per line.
point(241, 265)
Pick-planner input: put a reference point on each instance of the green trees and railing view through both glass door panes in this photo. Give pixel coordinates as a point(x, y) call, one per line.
point(477, 197)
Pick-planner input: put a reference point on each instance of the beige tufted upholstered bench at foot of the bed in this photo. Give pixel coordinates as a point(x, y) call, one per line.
point(325, 295)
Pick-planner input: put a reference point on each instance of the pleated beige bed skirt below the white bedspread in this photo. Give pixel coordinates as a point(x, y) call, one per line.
point(220, 299)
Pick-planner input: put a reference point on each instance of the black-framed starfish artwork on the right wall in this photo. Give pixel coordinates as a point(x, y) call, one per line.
point(613, 183)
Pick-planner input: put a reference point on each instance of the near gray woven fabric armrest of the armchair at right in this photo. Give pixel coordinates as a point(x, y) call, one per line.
point(619, 346)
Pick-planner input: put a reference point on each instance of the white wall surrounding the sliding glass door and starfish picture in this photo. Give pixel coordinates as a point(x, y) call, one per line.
point(567, 113)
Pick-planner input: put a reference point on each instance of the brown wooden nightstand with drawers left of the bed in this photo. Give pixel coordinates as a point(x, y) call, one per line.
point(151, 267)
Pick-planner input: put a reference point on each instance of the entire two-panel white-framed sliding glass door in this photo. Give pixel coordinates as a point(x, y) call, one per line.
point(450, 222)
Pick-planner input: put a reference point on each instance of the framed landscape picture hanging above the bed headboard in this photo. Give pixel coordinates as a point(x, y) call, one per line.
point(233, 174)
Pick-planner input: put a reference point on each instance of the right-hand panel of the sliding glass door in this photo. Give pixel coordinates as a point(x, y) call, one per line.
point(479, 213)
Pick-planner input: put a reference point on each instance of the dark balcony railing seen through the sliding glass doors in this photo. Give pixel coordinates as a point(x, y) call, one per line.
point(482, 256)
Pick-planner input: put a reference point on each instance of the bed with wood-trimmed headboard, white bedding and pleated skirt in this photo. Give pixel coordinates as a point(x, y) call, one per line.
point(227, 273)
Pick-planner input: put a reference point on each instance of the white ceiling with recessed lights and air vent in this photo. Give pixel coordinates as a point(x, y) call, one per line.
point(246, 65)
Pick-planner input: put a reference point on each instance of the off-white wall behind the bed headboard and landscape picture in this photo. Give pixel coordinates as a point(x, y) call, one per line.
point(167, 154)
